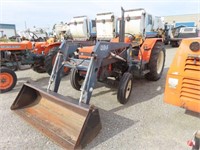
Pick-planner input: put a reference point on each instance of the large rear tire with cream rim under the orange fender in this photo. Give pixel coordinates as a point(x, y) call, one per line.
point(156, 62)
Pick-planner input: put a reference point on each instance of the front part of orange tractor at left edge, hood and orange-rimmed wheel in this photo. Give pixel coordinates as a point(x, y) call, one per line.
point(14, 56)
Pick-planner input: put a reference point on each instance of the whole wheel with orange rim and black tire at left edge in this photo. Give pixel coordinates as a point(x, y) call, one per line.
point(8, 79)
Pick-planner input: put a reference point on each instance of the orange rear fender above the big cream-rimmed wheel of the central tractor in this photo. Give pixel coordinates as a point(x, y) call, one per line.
point(147, 48)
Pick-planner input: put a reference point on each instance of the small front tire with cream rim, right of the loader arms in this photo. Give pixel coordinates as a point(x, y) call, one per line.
point(125, 88)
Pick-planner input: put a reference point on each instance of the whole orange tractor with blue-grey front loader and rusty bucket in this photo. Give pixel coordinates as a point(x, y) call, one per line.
point(73, 123)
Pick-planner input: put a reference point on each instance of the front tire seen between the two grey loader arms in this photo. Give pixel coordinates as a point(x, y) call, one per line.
point(76, 80)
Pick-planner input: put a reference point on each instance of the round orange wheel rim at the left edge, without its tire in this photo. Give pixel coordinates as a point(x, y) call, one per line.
point(6, 81)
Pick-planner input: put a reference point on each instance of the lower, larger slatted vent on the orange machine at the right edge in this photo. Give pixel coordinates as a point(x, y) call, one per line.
point(190, 89)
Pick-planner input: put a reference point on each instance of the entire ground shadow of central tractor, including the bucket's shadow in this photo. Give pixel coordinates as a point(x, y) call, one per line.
point(142, 91)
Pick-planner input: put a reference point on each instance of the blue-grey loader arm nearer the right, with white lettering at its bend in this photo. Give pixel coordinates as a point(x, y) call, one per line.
point(101, 51)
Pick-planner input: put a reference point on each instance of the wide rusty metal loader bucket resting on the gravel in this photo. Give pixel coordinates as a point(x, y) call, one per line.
point(64, 120)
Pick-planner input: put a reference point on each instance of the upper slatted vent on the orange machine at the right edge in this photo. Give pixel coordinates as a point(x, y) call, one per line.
point(192, 65)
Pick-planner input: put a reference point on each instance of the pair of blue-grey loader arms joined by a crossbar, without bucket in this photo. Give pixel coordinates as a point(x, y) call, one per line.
point(101, 51)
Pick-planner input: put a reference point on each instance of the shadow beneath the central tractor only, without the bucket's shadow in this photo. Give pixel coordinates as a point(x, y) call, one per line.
point(143, 90)
